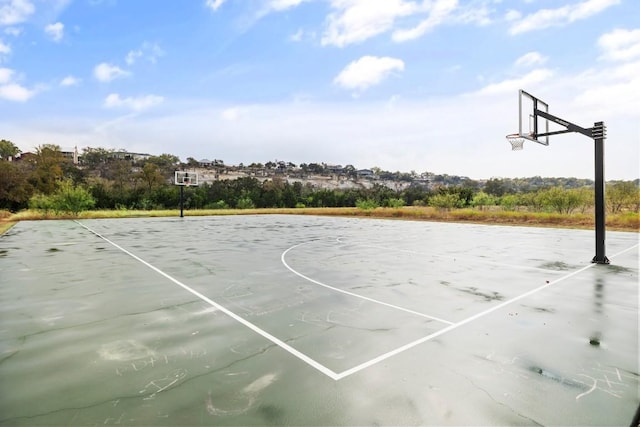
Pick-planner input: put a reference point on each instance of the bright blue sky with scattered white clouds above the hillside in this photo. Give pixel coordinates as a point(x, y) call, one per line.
point(424, 85)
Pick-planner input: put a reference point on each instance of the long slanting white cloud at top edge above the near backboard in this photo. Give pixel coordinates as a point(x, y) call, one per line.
point(545, 18)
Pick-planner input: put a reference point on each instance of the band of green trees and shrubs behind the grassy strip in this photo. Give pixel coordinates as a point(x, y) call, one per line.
point(46, 180)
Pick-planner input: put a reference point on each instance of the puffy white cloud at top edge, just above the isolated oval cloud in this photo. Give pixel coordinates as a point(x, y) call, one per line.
point(354, 21)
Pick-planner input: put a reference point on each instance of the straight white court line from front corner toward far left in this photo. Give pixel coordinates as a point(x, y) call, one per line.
point(328, 372)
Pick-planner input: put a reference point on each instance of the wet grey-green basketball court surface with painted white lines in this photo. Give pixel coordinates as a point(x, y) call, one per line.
point(296, 320)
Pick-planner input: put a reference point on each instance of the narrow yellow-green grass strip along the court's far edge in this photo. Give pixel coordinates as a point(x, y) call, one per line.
point(628, 221)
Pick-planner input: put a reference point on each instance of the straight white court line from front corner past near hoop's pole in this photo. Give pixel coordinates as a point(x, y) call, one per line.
point(465, 321)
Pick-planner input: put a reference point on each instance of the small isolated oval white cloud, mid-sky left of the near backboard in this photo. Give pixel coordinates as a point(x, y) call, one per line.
point(367, 71)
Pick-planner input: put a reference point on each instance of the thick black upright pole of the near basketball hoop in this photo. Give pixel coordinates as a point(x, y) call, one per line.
point(598, 133)
